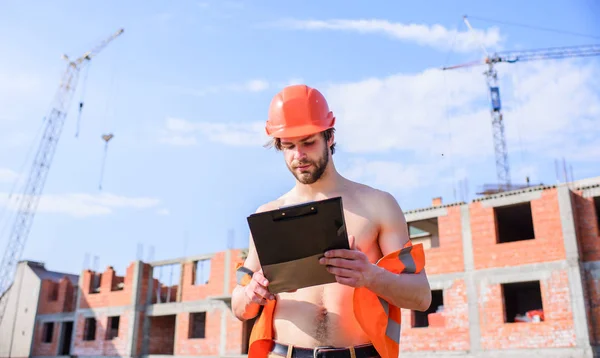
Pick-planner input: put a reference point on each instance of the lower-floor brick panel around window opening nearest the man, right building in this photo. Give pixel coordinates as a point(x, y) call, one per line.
point(453, 335)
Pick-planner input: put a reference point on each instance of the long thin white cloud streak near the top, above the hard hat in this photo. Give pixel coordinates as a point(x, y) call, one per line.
point(435, 36)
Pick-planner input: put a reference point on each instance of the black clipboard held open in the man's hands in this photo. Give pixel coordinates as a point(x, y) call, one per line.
point(290, 241)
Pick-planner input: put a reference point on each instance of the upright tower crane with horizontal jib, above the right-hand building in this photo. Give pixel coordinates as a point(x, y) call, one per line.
point(502, 165)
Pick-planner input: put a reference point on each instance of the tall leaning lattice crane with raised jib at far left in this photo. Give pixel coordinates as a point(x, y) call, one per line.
point(38, 173)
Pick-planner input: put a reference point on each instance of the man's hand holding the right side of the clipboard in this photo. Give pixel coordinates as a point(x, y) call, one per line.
point(350, 267)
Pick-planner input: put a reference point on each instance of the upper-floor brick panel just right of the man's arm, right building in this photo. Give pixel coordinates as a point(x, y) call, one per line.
point(448, 257)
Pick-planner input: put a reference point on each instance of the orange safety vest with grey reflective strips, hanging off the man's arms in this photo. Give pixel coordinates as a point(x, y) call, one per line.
point(379, 319)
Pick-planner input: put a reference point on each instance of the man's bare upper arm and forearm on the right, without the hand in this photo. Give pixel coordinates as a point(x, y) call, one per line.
point(410, 291)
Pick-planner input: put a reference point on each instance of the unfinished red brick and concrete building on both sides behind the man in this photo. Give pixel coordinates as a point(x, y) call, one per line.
point(516, 274)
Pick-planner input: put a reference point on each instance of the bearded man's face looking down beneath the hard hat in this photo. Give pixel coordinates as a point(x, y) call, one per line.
point(306, 157)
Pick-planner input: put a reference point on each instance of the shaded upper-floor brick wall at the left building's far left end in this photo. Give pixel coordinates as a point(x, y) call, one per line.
point(57, 297)
